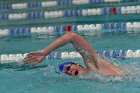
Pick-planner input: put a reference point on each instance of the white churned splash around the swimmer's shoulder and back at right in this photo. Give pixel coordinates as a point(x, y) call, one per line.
point(132, 73)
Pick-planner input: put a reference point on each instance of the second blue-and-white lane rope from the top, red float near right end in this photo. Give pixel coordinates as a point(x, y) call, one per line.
point(72, 13)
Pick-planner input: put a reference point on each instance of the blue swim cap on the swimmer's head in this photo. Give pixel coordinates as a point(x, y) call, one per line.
point(59, 68)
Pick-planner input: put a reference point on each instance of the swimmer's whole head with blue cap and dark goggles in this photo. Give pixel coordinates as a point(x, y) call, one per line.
point(71, 68)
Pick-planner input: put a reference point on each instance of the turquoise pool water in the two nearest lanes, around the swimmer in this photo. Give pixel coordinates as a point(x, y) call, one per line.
point(18, 78)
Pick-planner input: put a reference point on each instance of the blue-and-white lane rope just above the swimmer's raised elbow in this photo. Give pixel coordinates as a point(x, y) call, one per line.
point(84, 29)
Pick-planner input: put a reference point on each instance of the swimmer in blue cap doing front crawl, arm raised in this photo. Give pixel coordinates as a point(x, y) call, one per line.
point(91, 59)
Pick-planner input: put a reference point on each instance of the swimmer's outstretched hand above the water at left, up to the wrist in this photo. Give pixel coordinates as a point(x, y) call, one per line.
point(34, 57)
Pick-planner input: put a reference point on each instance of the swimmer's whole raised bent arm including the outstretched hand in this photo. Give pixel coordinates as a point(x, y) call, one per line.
point(87, 52)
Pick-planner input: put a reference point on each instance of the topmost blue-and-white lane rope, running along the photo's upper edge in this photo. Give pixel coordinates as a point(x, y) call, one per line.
point(54, 3)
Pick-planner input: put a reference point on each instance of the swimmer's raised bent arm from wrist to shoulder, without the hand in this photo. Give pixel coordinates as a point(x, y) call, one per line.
point(87, 52)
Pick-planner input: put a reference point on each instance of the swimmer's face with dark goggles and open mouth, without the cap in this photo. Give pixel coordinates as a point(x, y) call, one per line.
point(73, 69)
